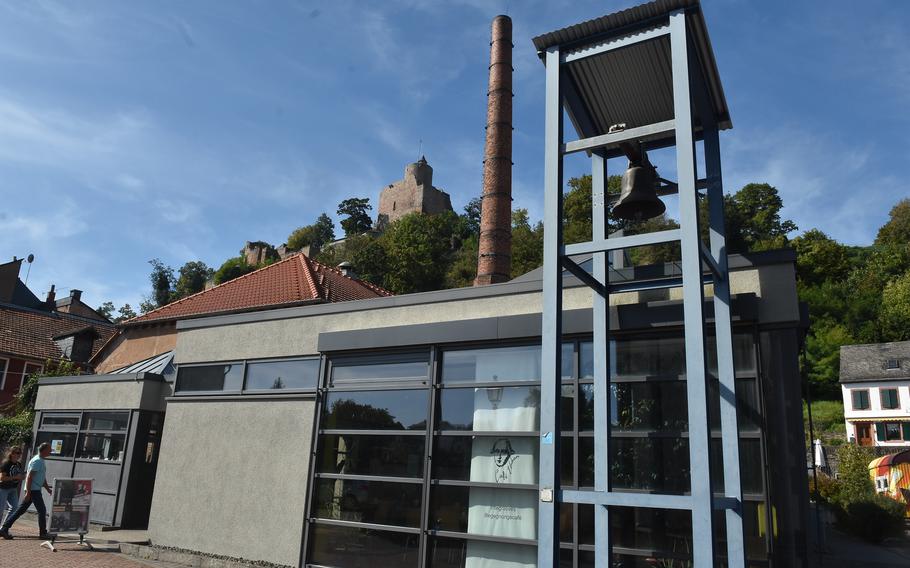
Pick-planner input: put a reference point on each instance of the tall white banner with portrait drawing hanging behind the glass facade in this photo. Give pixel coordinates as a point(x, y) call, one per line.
point(503, 459)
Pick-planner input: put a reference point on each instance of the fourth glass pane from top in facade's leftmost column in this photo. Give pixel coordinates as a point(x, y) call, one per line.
point(375, 502)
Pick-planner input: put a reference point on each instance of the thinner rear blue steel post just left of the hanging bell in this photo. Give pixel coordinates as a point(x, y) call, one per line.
point(601, 314)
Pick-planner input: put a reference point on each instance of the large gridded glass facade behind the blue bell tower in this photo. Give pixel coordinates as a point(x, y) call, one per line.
point(463, 492)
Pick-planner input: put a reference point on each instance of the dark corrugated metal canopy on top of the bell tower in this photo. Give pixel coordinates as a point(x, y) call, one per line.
point(632, 84)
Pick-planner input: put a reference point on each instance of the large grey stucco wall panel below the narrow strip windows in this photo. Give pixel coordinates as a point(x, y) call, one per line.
point(232, 478)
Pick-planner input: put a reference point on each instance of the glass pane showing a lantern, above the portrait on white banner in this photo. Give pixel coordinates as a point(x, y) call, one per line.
point(490, 409)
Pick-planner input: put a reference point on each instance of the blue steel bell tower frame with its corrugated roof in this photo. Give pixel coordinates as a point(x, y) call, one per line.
point(580, 81)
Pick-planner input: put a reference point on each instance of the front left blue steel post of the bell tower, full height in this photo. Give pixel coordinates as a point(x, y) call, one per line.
point(551, 336)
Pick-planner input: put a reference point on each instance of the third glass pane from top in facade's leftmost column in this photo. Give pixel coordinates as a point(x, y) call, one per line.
point(394, 456)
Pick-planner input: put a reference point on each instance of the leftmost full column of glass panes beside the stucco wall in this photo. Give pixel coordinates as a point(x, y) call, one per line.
point(371, 463)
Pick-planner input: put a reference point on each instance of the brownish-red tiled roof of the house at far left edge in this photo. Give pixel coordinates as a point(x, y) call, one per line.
point(29, 333)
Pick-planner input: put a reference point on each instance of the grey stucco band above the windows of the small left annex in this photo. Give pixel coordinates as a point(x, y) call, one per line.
point(90, 396)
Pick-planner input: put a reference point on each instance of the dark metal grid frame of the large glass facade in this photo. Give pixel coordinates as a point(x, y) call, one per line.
point(436, 388)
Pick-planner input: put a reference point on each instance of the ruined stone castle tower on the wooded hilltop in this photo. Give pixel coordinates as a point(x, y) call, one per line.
point(413, 193)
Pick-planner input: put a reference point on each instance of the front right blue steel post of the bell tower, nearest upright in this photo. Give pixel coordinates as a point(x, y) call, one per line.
point(693, 296)
